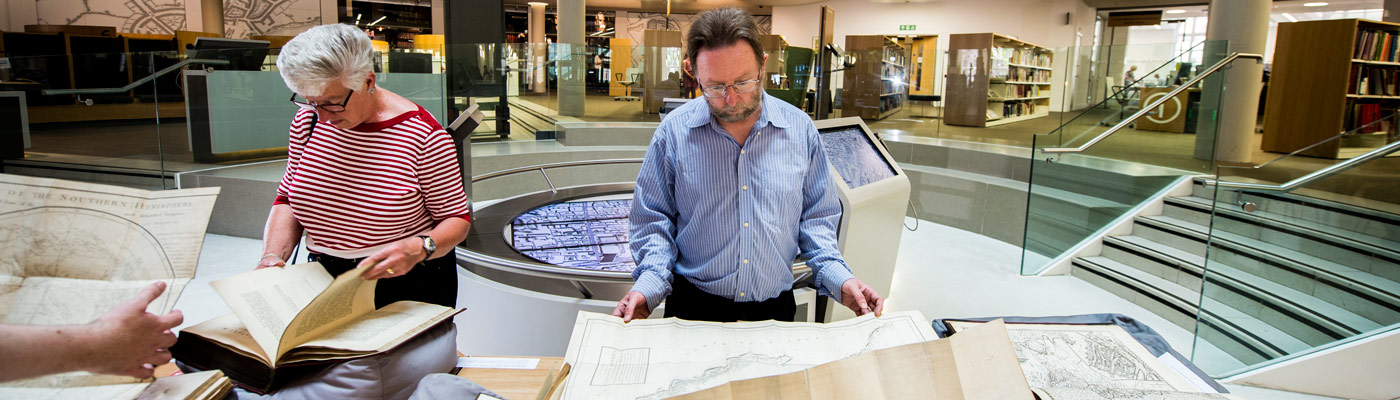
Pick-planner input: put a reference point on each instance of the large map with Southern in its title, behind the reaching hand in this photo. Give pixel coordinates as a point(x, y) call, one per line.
point(71, 251)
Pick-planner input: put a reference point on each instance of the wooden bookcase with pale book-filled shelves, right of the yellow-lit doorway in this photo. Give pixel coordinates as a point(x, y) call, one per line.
point(1007, 82)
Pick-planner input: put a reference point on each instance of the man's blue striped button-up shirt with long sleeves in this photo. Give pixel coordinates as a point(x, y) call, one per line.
point(731, 219)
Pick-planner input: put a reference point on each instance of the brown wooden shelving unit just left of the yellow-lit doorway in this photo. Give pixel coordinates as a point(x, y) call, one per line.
point(877, 86)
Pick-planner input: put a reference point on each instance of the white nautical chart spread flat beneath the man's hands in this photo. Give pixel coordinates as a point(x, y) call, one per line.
point(668, 357)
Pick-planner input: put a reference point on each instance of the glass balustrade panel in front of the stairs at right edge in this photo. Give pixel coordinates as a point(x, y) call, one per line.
point(1298, 269)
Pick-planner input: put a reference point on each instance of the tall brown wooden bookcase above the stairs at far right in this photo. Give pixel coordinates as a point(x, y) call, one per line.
point(1332, 78)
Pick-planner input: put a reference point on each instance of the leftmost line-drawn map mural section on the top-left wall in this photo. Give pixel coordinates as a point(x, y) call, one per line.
point(128, 16)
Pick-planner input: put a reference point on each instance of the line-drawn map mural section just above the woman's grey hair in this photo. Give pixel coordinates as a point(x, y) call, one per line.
point(244, 19)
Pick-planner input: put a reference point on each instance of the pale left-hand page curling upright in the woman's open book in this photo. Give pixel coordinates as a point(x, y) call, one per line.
point(268, 300)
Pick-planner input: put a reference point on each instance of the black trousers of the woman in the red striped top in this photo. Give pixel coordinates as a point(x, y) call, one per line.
point(432, 282)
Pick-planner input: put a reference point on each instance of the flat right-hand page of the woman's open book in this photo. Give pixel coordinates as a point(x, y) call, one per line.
point(384, 328)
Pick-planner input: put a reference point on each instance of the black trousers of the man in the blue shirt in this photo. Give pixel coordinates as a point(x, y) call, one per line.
point(687, 301)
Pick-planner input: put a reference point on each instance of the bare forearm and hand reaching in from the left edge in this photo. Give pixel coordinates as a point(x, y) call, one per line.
point(127, 341)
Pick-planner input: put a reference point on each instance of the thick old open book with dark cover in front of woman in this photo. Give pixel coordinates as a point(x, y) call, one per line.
point(292, 321)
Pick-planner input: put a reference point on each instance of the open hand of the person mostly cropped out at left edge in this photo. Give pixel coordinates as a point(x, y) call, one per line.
point(128, 341)
